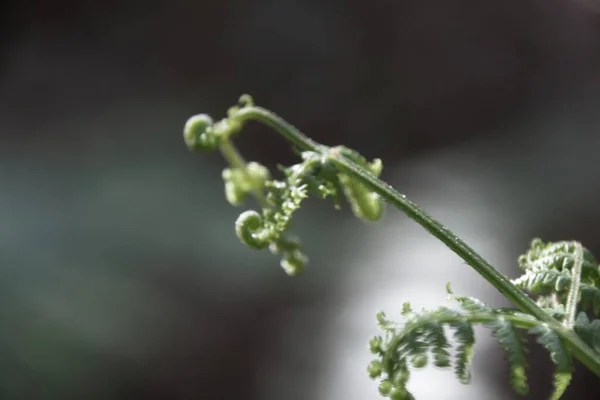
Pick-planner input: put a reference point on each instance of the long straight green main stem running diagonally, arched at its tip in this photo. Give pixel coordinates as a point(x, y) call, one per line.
point(515, 295)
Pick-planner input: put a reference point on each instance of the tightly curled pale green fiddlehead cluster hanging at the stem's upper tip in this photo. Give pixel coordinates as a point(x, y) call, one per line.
point(279, 199)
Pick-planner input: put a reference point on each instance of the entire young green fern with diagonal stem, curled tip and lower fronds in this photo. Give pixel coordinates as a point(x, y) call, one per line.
point(563, 278)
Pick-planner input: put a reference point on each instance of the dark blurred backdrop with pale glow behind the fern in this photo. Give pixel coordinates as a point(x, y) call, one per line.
point(121, 276)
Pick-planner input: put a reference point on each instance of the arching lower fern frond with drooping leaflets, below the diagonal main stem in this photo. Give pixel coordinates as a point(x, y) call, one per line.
point(424, 334)
